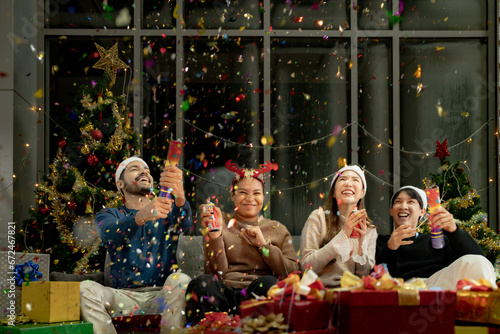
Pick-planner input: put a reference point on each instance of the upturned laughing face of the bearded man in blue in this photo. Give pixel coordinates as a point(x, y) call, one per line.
point(136, 179)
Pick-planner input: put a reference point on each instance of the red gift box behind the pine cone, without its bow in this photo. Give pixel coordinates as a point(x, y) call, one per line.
point(300, 315)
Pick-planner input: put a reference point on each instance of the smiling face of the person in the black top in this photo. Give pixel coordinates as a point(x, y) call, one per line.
point(406, 209)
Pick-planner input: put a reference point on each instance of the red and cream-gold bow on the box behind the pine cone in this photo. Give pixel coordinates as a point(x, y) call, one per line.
point(309, 286)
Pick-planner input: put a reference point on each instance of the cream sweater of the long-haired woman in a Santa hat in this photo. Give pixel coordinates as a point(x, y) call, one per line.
point(341, 253)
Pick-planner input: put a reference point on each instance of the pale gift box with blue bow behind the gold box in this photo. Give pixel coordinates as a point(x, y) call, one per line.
point(11, 275)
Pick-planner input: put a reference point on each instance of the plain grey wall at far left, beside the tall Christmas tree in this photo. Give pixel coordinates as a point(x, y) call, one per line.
point(18, 127)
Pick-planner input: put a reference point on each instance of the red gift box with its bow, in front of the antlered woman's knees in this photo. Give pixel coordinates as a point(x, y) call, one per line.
point(300, 300)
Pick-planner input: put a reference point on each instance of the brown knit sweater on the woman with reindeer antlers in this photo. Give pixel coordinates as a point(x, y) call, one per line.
point(238, 262)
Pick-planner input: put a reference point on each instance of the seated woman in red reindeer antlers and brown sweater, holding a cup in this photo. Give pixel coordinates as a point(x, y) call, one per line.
point(246, 255)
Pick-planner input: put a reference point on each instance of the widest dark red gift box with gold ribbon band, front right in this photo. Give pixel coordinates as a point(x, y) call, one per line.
point(393, 311)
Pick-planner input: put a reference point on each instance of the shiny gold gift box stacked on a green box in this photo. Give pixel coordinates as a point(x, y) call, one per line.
point(51, 301)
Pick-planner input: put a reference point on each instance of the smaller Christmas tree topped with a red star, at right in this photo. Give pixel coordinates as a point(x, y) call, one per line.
point(459, 197)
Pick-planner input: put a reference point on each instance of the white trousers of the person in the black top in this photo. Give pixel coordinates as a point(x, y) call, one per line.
point(467, 266)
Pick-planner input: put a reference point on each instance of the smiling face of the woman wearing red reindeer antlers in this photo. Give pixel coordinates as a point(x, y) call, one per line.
point(248, 198)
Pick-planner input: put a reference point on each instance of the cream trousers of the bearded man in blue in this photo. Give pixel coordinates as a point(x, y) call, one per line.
point(99, 303)
